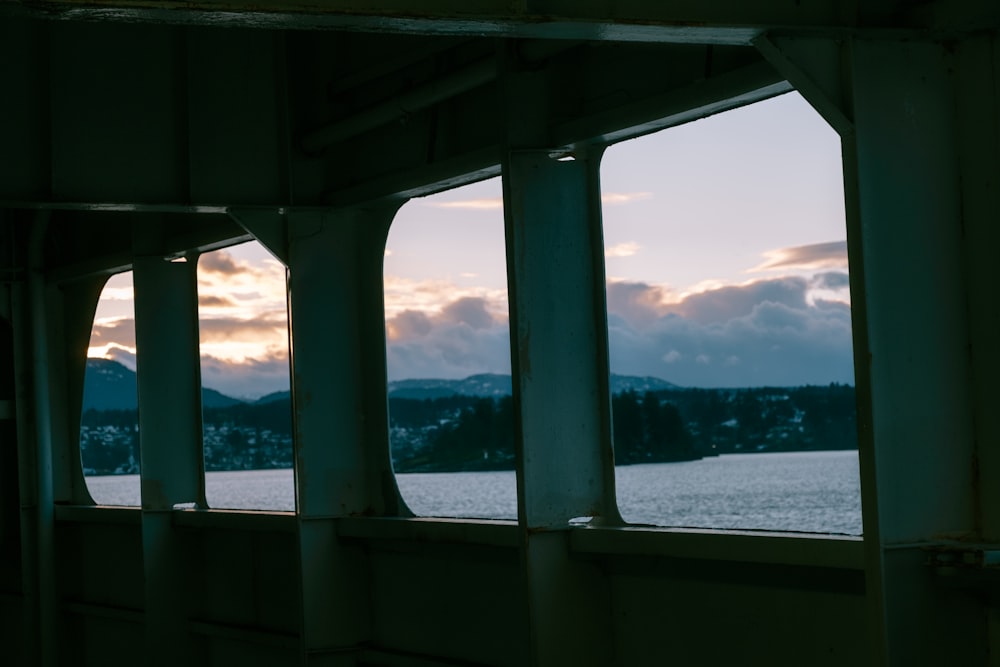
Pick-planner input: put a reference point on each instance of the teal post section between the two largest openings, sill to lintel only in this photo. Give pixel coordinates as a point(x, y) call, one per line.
point(559, 338)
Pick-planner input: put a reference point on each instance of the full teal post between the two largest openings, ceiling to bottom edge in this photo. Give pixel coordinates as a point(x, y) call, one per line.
point(559, 357)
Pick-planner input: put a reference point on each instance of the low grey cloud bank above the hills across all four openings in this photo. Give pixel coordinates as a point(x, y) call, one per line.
point(763, 333)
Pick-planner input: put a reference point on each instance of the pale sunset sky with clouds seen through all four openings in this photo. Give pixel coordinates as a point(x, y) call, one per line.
point(725, 257)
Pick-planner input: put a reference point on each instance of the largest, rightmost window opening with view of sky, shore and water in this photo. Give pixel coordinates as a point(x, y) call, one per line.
point(729, 324)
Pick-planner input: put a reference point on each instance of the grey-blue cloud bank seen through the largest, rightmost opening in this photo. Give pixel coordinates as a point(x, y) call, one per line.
point(763, 333)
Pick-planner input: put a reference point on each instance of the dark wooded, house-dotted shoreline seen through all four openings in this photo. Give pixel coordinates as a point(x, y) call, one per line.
point(458, 433)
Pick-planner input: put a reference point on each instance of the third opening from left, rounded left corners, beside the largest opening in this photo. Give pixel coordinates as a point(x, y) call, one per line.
point(448, 352)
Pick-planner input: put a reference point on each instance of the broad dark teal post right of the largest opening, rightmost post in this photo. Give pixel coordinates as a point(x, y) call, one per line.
point(911, 229)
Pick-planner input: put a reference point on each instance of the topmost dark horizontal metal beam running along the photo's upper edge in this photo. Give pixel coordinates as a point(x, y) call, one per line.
point(731, 22)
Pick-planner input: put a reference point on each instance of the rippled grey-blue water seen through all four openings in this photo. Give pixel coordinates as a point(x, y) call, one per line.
point(795, 491)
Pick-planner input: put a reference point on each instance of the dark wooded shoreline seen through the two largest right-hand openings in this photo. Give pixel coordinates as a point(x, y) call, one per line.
point(474, 433)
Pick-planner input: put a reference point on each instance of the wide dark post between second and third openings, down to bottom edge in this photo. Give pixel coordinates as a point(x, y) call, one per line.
point(342, 463)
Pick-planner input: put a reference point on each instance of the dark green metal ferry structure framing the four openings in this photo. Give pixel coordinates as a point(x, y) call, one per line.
point(136, 134)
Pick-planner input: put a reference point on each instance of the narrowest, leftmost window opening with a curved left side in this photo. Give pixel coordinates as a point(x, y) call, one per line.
point(109, 428)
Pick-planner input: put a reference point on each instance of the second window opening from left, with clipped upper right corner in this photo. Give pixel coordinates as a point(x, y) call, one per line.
point(246, 402)
